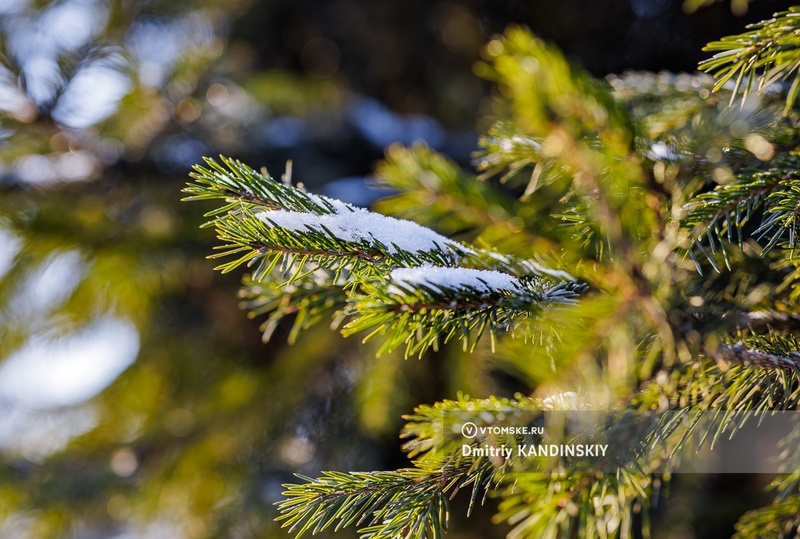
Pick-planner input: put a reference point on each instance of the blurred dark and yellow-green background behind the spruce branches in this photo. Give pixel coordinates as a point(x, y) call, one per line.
point(136, 399)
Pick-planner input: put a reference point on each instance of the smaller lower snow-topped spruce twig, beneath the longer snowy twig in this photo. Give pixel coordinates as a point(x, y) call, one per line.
point(427, 306)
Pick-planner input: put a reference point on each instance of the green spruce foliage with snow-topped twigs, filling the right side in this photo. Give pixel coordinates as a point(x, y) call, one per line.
point(650, 256)
